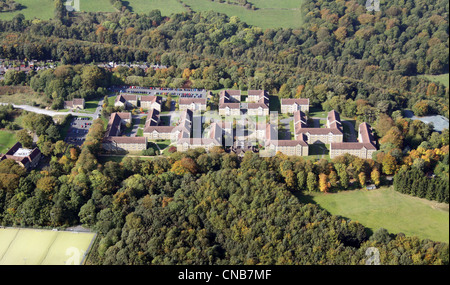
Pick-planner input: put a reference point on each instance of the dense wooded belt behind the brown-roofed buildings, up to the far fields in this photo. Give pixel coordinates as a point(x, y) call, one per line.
point(342, 53)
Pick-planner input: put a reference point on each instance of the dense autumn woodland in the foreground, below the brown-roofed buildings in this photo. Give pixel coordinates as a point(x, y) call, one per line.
point(202, 208)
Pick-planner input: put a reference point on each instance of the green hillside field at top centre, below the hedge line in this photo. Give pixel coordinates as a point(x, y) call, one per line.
point(270, 13)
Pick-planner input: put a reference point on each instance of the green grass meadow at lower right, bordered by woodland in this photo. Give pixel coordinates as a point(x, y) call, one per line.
point(386, 208)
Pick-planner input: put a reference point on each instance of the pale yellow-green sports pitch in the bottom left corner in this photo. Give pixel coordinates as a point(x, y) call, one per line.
point(43, 247)
